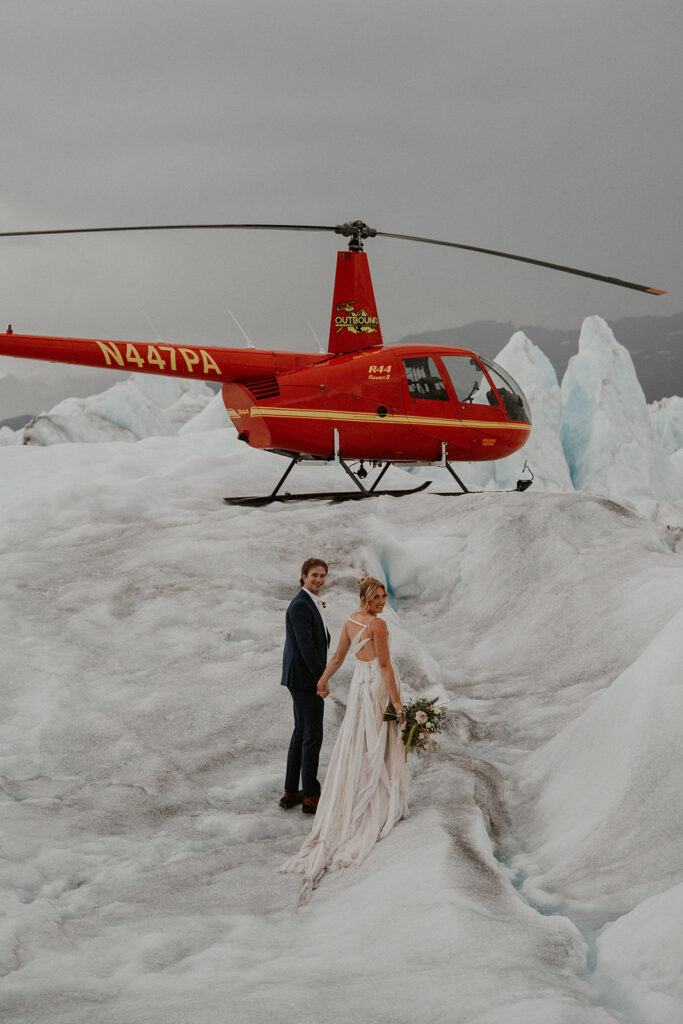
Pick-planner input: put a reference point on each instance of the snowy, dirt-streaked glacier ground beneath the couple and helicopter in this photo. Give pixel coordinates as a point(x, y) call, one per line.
point(144, 737)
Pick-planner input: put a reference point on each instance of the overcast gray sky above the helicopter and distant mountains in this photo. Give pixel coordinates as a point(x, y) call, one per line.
point(551, 129)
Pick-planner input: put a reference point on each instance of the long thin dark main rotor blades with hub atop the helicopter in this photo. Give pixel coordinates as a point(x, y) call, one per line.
point(357, 230)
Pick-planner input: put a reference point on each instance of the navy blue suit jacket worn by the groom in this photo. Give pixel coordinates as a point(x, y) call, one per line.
point(307, 642)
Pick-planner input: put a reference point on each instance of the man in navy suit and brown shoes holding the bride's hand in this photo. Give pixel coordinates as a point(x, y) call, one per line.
point(305, 661)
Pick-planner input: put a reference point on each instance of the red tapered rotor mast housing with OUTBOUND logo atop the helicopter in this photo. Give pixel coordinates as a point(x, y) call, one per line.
point(355, 323)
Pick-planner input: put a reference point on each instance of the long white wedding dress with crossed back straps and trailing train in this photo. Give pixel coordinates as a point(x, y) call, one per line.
point(366, 787)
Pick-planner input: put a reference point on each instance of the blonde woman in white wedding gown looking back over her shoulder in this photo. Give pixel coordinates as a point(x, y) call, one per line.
point(366, 788)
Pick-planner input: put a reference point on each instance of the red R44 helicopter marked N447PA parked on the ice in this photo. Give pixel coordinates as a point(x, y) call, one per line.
point(361, 402)
